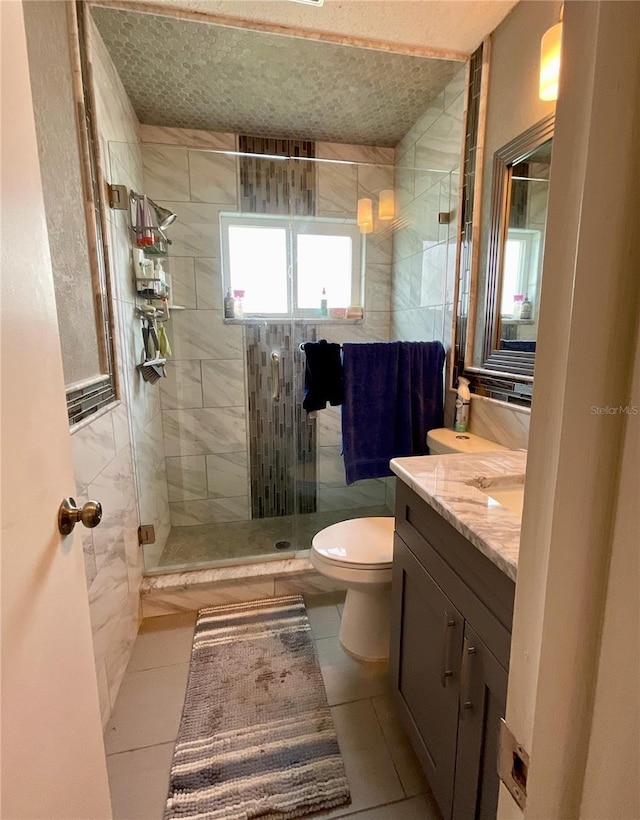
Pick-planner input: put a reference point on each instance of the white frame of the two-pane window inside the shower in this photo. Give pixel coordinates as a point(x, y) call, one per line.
point(294, 227)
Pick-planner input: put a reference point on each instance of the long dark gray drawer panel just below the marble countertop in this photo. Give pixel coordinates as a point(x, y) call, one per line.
point(483, 593)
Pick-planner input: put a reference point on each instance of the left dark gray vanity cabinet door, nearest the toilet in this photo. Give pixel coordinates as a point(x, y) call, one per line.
point(426, 648)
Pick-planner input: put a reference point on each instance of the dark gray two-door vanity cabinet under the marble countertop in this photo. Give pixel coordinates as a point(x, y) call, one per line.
point(450, 638)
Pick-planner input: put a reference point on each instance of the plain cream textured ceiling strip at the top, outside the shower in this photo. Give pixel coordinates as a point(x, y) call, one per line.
point(447, 25)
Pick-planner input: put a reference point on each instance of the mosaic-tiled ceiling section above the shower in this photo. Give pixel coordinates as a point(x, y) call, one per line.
point(190, 74)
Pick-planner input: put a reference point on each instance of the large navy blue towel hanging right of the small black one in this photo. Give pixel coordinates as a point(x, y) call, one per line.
point(393, 395)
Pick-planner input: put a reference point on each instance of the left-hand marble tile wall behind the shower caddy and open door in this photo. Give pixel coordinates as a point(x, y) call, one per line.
point(102, 446)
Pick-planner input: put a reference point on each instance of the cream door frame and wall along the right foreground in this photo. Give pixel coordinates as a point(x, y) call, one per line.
point(570, 581)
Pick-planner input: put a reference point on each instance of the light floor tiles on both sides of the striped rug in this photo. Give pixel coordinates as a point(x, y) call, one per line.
point(384, 777)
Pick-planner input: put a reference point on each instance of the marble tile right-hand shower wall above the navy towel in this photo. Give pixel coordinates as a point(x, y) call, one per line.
point(424, 253)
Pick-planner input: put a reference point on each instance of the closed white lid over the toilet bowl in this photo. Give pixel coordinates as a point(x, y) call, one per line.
point(361, 541)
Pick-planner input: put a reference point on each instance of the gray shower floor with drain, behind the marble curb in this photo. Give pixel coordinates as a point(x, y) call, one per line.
point(241, 542)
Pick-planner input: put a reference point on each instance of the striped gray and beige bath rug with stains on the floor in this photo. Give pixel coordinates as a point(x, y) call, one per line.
point(256, 738)
